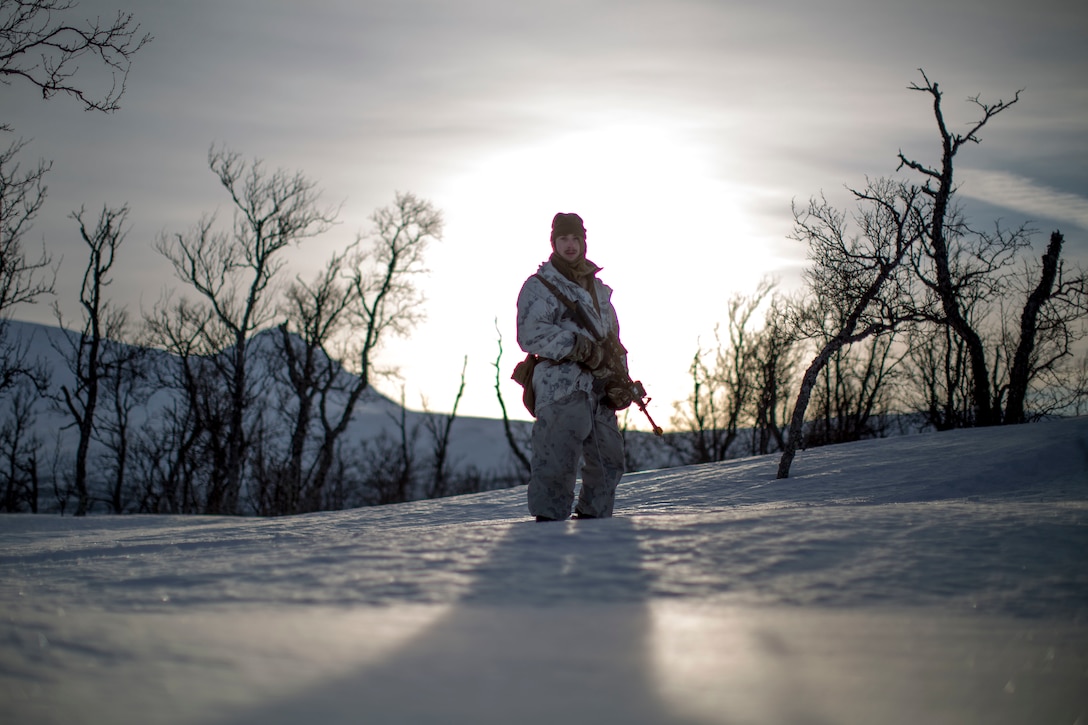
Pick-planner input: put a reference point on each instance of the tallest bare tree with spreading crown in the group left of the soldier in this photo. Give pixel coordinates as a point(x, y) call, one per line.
point(233, 273)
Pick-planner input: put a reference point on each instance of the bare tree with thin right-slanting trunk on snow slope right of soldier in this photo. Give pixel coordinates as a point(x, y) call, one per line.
point(859, 284)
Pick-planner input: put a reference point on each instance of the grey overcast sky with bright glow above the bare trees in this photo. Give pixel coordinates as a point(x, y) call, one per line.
point(682, 131)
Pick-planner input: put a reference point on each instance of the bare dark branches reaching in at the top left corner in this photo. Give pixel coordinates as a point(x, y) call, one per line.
point(42, 44)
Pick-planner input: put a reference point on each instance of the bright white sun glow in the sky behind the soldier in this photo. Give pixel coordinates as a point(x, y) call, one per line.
point(673, 234)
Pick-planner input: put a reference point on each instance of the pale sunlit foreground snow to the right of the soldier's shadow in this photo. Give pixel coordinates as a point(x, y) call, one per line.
point(718, 663)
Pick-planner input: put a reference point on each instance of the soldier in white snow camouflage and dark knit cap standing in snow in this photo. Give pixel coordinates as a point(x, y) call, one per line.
point(566, 318)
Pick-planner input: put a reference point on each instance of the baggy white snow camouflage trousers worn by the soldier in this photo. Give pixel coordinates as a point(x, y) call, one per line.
point(576, 428)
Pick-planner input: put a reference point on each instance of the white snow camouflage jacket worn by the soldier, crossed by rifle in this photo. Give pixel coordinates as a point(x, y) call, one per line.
point(547, 328)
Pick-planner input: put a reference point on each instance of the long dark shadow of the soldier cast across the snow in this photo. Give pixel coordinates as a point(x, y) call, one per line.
point(555, 626)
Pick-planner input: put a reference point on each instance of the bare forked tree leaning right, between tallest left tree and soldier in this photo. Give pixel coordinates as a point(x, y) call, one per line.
point(332, 333)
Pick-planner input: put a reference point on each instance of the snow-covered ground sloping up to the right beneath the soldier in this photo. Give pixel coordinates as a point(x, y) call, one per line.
point(935, 579)
